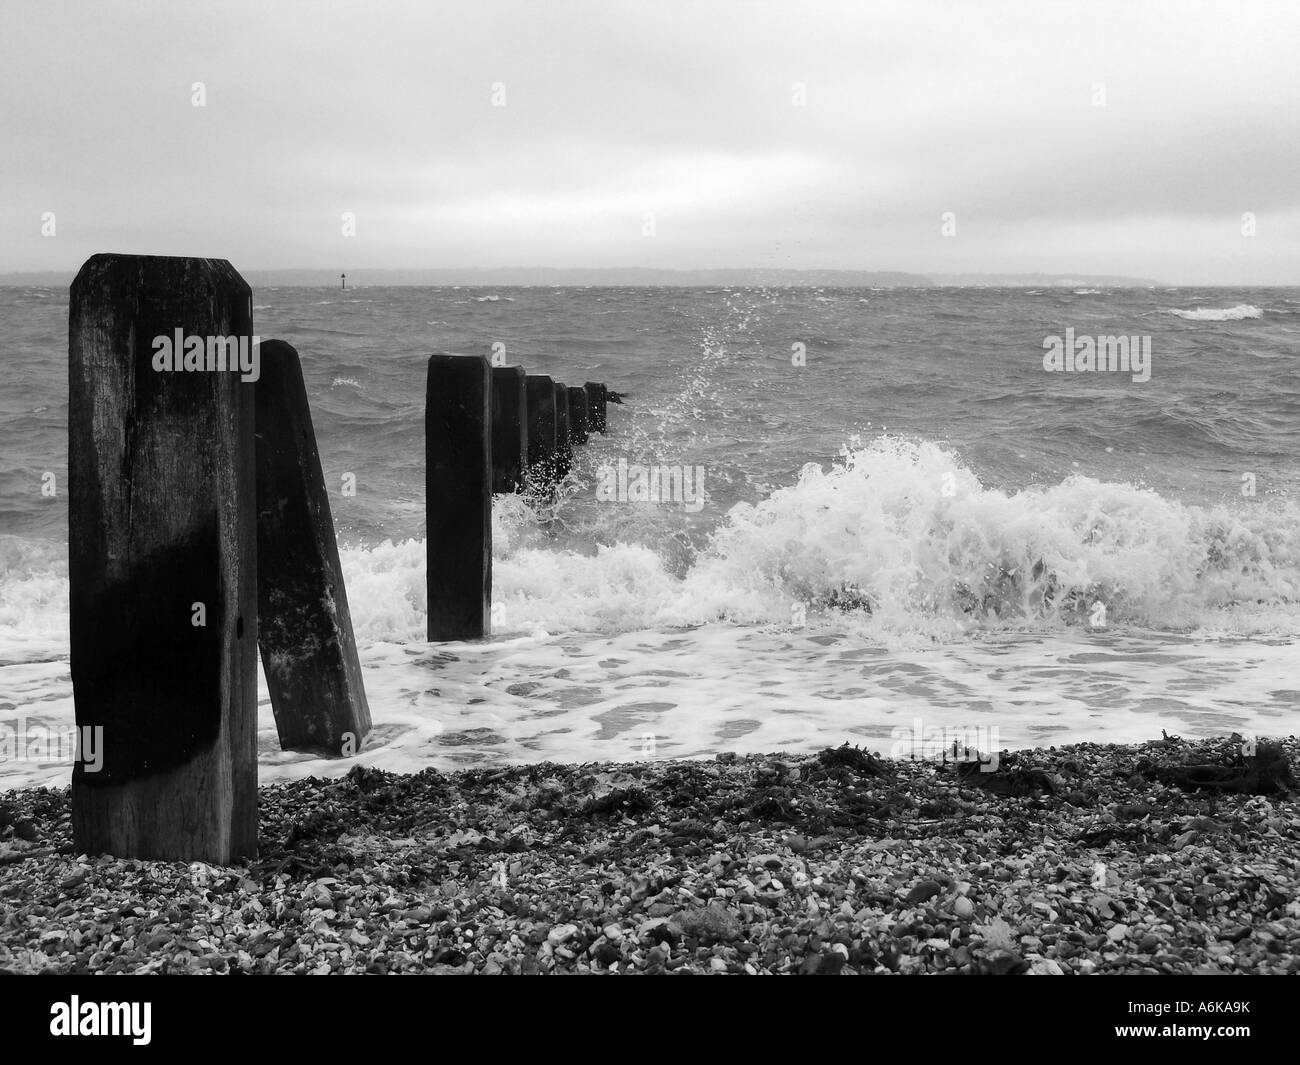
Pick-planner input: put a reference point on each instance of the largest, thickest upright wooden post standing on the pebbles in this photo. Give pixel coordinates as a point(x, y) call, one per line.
point(163, 559)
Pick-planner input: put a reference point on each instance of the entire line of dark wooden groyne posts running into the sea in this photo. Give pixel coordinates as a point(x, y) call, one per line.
point(201, 534)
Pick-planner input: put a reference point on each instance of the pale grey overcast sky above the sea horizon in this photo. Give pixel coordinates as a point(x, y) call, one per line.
point(616, 111)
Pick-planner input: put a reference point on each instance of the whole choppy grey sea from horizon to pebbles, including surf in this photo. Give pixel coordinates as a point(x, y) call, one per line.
point(900, 530)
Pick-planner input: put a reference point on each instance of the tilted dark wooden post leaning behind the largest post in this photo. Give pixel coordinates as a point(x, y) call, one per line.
point(305, 629)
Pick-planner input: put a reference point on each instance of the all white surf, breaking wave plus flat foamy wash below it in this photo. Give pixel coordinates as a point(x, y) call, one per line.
point(889, 587)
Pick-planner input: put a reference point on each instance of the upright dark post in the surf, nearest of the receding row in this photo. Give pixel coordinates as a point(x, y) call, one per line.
point(458, 496)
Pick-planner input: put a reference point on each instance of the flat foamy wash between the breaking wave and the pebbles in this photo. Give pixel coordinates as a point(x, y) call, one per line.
point(752, 689)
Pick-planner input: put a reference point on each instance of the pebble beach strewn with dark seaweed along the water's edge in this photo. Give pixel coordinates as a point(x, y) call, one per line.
point(1065, 861)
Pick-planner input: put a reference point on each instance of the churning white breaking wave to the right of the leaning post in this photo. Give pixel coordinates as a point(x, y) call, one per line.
point(898, 543)
